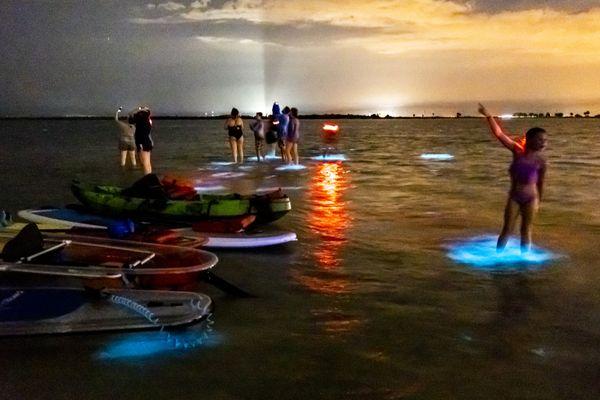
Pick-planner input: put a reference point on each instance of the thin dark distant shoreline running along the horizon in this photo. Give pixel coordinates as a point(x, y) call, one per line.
point(306, 116)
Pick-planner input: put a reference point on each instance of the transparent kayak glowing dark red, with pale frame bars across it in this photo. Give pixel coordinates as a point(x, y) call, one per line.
point(138, 265)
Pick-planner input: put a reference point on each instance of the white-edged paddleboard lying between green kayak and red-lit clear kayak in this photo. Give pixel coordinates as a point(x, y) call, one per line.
point(74, 218)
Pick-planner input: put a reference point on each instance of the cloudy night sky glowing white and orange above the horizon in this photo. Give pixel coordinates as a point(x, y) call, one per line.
point(356, 56)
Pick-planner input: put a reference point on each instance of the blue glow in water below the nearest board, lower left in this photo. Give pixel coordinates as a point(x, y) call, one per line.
point(148, 344)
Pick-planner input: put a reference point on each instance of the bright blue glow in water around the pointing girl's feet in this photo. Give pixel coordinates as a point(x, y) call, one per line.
point(480, 253)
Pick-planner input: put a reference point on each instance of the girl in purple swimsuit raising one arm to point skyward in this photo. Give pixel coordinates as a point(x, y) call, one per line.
point(527, 173)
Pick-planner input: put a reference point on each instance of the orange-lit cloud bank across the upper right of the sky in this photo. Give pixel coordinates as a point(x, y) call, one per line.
point(414, 27)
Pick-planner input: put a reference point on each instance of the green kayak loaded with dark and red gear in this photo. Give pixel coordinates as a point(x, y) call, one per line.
point(153, 202)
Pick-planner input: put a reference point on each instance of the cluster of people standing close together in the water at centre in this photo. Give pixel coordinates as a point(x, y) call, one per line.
point(281, 128)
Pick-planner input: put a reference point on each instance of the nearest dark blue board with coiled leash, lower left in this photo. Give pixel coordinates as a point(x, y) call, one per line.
point(33, 311)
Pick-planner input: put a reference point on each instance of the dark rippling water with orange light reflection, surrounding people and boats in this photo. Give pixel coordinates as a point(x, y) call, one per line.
point(366, 305)
